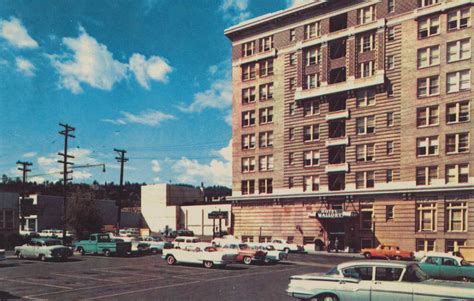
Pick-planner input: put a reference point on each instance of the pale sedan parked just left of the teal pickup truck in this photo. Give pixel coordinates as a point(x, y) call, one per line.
point(44, 249)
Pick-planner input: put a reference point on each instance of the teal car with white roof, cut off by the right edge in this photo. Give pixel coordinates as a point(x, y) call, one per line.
point(449, 267)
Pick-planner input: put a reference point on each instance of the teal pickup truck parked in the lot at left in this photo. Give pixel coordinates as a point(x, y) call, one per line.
point(100, 243)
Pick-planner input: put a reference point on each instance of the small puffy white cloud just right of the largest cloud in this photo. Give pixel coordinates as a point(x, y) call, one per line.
point(155, 68)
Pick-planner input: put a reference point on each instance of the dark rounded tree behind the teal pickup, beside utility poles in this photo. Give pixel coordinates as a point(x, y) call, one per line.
point(82, 215)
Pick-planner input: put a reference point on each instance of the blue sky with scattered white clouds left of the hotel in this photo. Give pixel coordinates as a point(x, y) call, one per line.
point(150, 76)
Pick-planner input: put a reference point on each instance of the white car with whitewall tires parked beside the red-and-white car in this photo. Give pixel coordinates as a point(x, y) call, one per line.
point(206, 255)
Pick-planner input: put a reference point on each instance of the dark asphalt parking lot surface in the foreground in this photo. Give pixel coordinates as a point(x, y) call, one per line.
point(149, 277)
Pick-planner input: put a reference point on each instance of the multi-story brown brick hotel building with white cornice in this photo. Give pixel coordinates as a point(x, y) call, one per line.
point(353, 120)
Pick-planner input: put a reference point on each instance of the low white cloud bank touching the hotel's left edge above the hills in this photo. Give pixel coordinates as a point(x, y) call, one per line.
point(216, 172)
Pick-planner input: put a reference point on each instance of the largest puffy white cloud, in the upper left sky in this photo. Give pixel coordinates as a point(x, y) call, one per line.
point(89, 63)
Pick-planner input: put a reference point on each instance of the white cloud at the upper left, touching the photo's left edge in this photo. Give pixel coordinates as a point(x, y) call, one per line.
point(16, 34)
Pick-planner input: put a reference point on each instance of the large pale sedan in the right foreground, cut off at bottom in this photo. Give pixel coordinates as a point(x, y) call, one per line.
point(376, 280)
